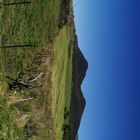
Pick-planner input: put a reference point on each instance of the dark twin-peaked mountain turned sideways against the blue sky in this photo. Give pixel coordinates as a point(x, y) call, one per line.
point(78, 102)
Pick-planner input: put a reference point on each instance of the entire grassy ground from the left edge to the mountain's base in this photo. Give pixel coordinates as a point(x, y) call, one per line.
point(40, 112)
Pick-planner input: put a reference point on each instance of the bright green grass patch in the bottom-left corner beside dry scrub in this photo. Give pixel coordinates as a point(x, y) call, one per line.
point(8, 128)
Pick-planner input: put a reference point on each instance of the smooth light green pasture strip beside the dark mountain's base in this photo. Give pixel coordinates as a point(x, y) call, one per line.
point(61, 81)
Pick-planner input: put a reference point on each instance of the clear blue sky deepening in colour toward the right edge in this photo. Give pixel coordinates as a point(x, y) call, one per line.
point(109, 36)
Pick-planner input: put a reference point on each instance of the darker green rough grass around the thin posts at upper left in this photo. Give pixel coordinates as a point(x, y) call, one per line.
point(34, 23)
